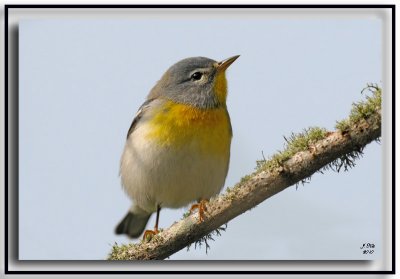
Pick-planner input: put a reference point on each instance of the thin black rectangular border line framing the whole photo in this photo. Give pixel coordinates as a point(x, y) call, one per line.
point(207, 6)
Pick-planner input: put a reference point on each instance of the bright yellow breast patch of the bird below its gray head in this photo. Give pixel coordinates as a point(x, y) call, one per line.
point(177, 125)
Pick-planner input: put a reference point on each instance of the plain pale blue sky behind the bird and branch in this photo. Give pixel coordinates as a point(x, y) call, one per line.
point(82, 81)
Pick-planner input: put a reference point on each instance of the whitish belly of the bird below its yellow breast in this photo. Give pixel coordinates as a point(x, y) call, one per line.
point(153, 174)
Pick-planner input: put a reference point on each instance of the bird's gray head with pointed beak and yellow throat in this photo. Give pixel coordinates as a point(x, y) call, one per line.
point(196, 81)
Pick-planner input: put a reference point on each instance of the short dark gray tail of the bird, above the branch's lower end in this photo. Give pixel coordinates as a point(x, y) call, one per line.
point(134, 223)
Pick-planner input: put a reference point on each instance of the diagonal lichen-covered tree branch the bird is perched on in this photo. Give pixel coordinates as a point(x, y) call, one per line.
point(313, 150)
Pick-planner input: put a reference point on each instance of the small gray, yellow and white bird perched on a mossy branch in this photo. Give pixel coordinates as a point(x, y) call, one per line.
point(178, 146)
